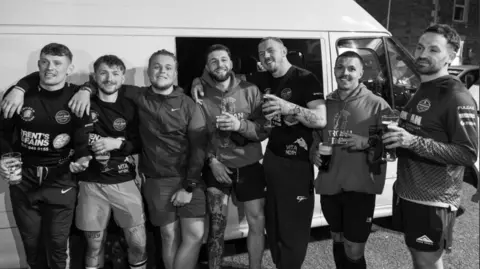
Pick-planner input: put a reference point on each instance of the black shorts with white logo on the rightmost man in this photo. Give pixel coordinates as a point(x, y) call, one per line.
point(426, 228)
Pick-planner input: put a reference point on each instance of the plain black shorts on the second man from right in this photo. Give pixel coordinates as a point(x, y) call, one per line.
point(350, 213)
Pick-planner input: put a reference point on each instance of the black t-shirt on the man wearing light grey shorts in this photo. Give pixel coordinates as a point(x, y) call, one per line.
point(116, 120)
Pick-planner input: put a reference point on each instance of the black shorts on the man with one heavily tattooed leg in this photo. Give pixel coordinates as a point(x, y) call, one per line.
point(248, 182)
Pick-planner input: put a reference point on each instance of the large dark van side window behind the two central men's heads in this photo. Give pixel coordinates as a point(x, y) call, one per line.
point(304, 53)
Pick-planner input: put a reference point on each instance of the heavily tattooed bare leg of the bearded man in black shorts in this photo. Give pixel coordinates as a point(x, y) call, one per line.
point(218, 206)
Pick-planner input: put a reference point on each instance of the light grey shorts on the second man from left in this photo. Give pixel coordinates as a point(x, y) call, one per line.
point(96, 201)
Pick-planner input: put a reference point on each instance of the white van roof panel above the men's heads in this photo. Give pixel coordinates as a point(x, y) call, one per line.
point(298, 15)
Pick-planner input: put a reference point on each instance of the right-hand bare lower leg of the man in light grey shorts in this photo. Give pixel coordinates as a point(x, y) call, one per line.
point(137, 243)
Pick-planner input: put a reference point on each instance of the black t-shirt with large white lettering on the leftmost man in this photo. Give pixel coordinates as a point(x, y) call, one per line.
point(47, 133)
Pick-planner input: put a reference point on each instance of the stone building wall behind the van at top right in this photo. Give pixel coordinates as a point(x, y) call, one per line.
point(409, 18)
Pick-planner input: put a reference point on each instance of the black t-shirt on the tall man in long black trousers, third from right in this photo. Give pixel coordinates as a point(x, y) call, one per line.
point(290, 138)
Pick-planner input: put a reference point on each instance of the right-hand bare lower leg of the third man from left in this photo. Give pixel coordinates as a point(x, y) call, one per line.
point(192, 235)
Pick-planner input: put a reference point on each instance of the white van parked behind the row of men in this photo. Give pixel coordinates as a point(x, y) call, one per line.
point(314, 31)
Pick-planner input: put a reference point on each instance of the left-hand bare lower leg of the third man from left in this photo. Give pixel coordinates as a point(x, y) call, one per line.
point(170, 241)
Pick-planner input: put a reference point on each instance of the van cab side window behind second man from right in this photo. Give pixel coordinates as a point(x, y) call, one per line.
point(375, 74)
